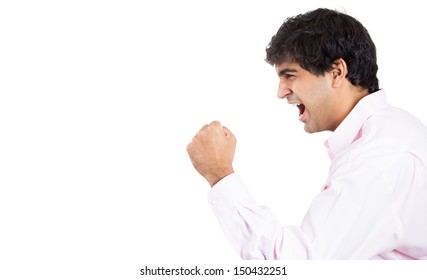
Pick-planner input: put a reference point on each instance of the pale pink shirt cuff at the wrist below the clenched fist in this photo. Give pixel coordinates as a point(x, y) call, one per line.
point(227, 194)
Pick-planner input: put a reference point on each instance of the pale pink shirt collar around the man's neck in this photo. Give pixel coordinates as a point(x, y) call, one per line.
point(350, 128)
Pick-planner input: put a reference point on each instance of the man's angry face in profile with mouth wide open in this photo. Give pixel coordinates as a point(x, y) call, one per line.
point(313, 95)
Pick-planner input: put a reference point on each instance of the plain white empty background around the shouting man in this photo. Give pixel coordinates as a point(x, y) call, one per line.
point(98, 100)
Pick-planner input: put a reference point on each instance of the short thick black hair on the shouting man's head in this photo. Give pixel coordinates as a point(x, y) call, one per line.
point(315, 40)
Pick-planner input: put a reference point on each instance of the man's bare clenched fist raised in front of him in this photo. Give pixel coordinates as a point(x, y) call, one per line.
point(212, 151)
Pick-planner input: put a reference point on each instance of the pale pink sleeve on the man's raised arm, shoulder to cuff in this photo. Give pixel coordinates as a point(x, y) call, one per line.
point(354, 217)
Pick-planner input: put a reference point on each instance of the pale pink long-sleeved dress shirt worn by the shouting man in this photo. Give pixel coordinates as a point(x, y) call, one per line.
point(372, 206)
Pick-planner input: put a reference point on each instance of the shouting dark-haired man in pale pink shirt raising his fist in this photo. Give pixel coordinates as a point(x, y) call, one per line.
point(374, 202)
